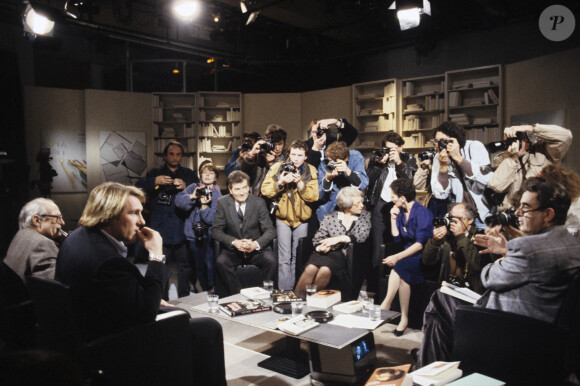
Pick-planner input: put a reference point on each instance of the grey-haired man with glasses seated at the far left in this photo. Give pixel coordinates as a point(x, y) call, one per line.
point(33, 250)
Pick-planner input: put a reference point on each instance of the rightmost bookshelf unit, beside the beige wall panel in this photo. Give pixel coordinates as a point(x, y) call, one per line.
point(474, 99)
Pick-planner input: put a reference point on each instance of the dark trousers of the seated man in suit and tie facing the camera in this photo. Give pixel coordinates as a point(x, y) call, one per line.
point(227, 261)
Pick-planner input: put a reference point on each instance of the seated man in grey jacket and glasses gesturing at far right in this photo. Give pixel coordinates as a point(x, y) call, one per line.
point(530, 279)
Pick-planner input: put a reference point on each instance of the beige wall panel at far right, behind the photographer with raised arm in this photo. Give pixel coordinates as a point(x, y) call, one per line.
point(547, 83)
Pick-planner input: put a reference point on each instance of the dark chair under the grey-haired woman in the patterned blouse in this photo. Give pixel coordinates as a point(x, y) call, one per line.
point(355, 257)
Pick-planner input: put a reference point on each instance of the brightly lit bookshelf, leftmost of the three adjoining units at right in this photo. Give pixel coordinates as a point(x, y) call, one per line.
point(375, 112)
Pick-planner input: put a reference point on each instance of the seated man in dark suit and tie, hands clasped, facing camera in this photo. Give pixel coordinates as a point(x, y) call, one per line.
point(243, 227)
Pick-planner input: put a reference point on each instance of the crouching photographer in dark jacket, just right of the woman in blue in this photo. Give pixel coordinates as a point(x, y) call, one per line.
point(450, 254)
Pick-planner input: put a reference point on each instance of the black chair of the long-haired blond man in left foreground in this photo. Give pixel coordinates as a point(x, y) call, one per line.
point(155, 353)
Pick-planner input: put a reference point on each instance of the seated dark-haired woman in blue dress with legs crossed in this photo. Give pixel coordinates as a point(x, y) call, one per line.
point(412, 226)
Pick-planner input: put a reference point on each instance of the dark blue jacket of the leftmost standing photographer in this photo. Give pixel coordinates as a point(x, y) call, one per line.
point(166, 219)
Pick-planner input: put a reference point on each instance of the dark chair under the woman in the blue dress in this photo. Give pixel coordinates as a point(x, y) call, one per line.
point(420, 294)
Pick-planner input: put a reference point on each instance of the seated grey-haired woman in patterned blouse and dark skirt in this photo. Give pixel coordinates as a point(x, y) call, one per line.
point(338, 228)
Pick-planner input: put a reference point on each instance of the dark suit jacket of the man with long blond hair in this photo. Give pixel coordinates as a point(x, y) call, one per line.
point(109, 293)
